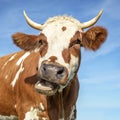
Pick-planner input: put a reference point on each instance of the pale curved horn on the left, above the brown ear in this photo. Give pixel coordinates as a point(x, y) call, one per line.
point(32, 23)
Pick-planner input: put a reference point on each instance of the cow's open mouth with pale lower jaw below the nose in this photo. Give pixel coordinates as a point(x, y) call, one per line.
point(46, 87)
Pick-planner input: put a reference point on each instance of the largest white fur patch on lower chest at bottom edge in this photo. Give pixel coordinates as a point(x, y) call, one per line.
point(32, 114)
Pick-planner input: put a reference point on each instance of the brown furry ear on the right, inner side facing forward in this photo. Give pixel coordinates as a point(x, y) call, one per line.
point(94, 38)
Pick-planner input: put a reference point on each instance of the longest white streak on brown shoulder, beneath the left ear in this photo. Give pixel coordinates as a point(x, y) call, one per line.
point(19, 62)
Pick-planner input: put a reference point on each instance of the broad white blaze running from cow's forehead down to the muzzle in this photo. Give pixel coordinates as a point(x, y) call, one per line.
point(58, 40)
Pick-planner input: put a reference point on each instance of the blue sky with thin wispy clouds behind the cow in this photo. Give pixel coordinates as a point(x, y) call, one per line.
point(99, 74)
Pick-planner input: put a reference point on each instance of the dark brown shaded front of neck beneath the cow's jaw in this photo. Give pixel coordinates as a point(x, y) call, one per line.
point(59, 105)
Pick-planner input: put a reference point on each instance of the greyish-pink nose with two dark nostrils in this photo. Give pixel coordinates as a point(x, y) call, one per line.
point(53, 73)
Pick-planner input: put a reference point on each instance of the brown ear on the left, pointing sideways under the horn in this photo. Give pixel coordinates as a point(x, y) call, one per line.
point(24, 41)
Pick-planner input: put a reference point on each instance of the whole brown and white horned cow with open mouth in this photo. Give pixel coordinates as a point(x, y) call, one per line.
point(40, 82)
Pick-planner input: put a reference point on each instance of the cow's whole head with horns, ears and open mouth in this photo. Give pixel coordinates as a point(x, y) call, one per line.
point(59, 46)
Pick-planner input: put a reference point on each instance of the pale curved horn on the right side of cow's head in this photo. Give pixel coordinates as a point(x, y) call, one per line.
point(92, 21)
